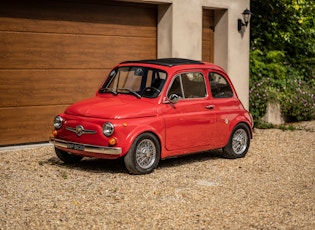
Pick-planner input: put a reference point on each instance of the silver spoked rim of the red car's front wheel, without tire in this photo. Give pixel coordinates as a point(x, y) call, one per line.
point(146, 153)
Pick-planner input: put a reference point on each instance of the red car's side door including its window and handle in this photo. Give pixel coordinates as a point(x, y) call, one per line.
point(189, 121)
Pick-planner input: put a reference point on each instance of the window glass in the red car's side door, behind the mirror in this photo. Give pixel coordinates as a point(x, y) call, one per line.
point(188, 85)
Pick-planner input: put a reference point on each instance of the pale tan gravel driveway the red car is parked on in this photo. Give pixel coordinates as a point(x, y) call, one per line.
point(273, 187)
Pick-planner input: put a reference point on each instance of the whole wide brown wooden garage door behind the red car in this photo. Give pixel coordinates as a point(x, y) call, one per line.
point(53, 53)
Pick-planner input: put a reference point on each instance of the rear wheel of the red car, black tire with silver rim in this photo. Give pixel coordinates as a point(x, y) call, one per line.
point(239, 141)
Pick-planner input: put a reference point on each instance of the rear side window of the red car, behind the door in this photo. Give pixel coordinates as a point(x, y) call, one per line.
point(220, 87)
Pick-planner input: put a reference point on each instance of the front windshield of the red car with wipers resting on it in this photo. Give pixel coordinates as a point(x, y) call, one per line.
point(138, 81)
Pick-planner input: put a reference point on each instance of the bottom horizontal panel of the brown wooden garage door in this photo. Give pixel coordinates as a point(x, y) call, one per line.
point(27, 124)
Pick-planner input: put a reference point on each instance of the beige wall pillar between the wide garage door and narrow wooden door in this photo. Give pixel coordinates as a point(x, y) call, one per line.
point(179, 30)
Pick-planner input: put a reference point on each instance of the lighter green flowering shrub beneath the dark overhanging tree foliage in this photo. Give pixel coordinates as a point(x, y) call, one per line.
point(272, 80)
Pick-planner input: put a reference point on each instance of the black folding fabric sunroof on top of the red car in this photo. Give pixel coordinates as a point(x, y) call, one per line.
point(167, 61)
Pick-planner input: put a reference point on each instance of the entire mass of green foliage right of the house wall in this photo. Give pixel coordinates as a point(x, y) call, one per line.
point(283, 51)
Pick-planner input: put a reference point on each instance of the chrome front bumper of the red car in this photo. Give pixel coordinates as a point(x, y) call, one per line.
point(85, 148)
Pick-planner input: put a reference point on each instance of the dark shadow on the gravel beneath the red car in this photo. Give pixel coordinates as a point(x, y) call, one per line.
point(118, 166)
